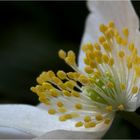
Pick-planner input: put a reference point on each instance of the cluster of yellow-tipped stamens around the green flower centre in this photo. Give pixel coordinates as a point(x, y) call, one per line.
point(109, 81)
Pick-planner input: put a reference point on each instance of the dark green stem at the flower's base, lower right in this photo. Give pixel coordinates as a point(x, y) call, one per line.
point(131, 117)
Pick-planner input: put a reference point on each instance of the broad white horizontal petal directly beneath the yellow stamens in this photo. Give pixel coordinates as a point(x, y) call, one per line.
point(37, 122)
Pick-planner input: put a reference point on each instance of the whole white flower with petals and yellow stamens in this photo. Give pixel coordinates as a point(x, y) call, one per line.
point(82, 104)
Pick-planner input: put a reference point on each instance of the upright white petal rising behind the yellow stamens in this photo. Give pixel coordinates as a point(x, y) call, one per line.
point(121, 12)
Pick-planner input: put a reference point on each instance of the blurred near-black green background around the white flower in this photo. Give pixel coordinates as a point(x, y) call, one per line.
point(31, 33)
